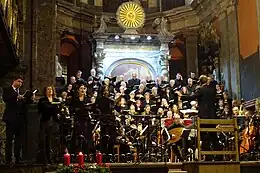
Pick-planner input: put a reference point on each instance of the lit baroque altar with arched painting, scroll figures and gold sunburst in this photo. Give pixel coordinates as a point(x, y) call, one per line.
point(124, 53)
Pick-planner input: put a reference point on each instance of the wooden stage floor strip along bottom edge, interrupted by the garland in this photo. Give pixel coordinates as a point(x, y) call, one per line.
point(186, 167)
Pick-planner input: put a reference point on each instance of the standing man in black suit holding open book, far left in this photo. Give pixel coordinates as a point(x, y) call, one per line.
point(14, 118)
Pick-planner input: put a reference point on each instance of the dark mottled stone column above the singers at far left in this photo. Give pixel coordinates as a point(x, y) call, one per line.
point(44, 44)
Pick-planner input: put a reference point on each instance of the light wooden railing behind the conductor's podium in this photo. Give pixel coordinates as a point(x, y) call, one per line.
point(222, 126)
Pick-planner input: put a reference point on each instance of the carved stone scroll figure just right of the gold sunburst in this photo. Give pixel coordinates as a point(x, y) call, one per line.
point(160, 24)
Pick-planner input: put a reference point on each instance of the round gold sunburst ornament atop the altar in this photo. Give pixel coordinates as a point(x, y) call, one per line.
point(130, 15)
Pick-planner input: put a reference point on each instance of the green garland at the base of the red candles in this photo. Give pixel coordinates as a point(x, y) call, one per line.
point(83, 169)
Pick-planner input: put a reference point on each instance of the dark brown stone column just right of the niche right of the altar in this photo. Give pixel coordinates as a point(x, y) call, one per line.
point(192, 53)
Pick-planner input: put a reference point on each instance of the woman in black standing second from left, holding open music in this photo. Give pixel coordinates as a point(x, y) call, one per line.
point(49, 110)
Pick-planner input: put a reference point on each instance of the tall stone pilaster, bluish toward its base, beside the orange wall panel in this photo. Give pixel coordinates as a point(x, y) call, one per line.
point(229, 52)
